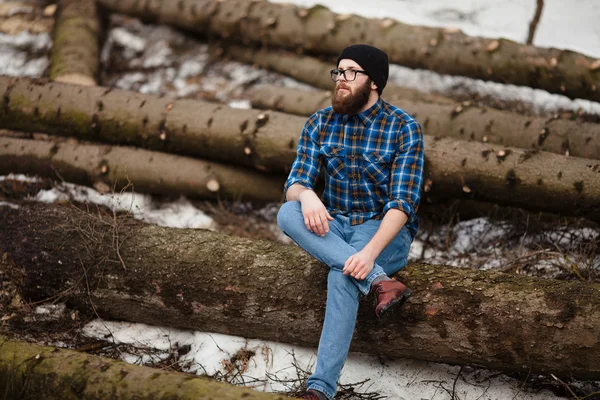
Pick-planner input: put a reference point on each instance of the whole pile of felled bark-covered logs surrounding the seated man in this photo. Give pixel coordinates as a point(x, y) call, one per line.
point(108, 138)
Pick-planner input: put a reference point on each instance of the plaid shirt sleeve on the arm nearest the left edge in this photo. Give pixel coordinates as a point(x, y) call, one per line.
point(307, 165)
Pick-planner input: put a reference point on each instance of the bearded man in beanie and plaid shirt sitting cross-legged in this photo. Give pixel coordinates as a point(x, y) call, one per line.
point(363, 226)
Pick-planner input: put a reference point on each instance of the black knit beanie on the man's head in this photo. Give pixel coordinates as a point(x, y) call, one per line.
point(372, 60)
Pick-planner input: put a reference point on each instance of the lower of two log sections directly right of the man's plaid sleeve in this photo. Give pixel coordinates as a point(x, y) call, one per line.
point(530, 179)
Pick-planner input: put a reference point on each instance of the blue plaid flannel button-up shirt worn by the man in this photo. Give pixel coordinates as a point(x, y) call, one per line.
point(373, 162)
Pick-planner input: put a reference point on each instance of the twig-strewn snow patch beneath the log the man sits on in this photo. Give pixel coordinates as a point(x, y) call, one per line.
point(265, 365)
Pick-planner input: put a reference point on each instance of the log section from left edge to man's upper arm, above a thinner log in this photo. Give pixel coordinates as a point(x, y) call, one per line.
point(188, 127)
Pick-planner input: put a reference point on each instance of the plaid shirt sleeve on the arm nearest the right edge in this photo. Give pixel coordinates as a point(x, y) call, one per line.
point(407, 171)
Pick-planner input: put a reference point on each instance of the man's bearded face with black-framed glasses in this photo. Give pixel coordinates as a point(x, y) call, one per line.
point(350, 97)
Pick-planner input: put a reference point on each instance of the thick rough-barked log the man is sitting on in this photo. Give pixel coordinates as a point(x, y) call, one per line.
point(201, 280)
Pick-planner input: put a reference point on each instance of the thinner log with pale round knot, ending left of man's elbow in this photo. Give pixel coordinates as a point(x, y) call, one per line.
point(113, 167)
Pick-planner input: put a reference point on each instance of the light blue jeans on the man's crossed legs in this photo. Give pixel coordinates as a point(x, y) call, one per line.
point(333, 249)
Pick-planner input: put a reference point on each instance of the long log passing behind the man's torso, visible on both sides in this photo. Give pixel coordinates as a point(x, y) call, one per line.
point(529, 179)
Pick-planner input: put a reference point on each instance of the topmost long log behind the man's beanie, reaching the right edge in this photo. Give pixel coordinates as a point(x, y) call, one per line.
point(318, 30)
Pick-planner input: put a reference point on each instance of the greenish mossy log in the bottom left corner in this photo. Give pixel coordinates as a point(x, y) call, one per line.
point(29, 371)
